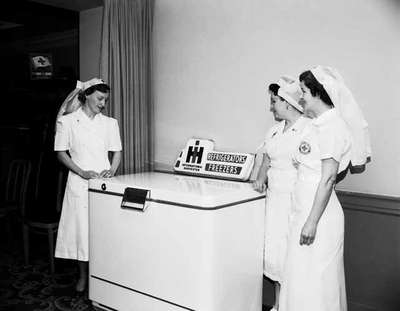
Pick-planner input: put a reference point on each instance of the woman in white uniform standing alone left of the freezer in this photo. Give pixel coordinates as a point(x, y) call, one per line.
point(84, 137)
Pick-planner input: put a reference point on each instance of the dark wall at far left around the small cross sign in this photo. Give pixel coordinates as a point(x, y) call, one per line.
point(29, 106)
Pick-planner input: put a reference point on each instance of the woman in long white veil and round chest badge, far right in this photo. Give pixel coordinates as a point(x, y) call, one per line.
point(335, 141)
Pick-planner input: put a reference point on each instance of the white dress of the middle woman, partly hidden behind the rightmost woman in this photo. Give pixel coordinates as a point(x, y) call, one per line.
point(279, 146)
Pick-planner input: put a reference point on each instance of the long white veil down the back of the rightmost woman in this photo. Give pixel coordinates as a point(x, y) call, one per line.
point(349, 110)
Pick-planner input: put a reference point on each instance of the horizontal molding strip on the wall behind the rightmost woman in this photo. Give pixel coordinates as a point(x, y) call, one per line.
point(370, 203)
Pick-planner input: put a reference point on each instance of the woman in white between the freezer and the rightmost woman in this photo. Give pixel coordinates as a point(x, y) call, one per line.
point(277, 170)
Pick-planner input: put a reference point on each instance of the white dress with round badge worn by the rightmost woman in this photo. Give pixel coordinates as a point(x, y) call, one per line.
point(314, 274)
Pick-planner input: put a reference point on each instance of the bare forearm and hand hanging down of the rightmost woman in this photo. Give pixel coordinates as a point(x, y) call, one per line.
point(328, 179)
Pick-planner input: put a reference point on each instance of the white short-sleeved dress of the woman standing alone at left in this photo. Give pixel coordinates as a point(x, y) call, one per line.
point(88, 142)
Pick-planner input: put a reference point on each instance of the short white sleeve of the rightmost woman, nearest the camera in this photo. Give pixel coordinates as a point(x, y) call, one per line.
point(332, 143)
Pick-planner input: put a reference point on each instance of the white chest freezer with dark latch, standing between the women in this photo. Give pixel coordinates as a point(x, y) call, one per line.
point(196, 245)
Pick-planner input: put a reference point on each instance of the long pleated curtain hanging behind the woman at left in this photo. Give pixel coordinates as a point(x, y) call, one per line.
point(126, 65)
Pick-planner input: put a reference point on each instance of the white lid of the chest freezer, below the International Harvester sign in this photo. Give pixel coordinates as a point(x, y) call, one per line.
point(180, 190)
